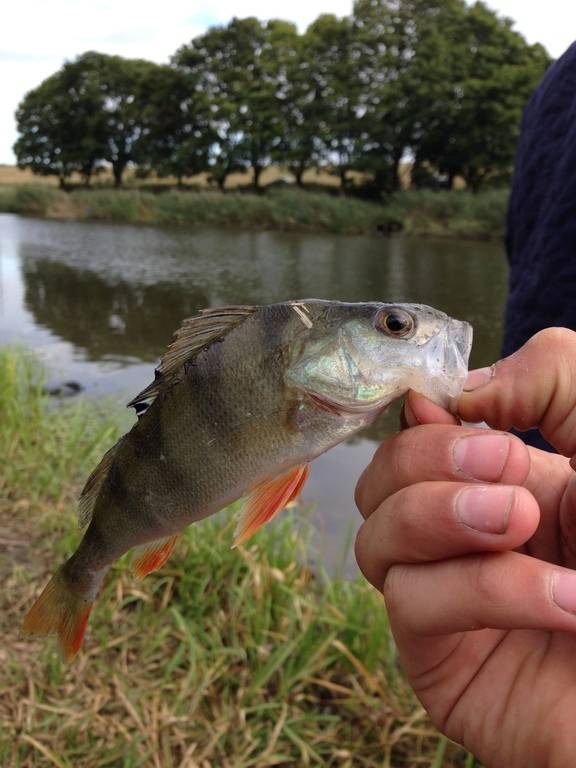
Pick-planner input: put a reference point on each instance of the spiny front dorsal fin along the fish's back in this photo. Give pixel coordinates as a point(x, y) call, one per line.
point(195, 334)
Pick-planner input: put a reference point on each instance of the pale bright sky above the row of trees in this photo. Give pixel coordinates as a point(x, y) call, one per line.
point(37, 36)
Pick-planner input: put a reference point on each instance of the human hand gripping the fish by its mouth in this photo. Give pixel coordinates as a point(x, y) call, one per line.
point(471, 537)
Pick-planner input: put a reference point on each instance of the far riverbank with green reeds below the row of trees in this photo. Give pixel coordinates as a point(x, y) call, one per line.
point(415, 213)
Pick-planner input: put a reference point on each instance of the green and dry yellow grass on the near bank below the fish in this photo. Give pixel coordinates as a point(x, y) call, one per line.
point(223, 659)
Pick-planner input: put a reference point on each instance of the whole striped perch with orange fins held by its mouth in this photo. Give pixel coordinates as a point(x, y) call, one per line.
point(243, 400)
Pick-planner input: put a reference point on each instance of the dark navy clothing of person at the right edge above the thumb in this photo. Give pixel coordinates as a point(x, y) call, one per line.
point(541, 233)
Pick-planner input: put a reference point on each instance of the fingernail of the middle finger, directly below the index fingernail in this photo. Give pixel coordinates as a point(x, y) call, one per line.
point(485, 509)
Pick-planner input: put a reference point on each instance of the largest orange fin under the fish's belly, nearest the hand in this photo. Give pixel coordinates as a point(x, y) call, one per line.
point(267, 499)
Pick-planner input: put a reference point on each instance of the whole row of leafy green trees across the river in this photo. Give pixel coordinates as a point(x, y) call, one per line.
point(437, 79)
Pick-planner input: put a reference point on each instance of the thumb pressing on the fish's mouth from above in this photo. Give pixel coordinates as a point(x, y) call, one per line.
point(534, 387)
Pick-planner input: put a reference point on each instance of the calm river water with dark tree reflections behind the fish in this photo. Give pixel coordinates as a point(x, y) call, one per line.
point(99, 303)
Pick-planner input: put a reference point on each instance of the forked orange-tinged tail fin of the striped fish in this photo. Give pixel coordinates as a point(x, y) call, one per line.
point(62, 611)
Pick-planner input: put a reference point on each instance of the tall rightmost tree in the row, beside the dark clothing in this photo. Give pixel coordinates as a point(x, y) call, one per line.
point(473, 92)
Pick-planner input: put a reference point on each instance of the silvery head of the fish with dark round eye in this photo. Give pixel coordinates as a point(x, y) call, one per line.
point(358, 358)
